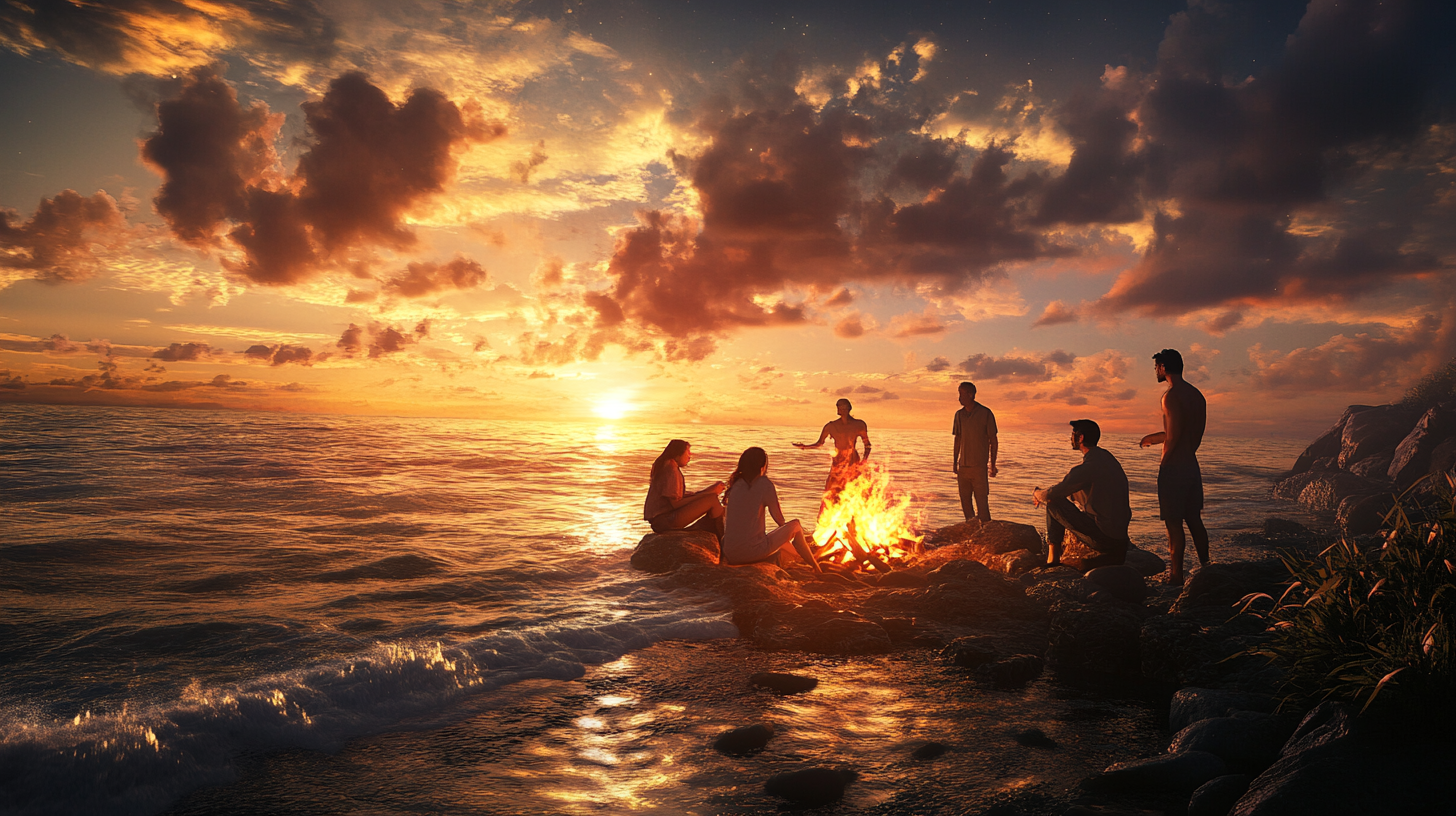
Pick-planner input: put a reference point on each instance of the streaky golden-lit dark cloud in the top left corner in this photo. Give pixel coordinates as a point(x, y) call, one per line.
point(162, 37)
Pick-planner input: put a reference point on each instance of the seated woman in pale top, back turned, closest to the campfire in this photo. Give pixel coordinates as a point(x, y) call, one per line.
point(751, 493)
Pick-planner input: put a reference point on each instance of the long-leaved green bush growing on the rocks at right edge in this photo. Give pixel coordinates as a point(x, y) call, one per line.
point(1374, 627)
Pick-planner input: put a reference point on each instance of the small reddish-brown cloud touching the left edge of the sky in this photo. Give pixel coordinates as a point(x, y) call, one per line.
point(56, 243)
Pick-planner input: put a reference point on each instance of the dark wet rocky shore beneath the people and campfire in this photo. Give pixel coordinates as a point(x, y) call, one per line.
point(979, 600)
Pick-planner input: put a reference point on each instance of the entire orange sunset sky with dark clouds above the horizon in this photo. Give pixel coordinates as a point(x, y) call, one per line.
point(732, 213)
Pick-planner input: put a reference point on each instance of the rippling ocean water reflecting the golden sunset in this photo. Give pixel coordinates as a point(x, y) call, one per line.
point(189, 592)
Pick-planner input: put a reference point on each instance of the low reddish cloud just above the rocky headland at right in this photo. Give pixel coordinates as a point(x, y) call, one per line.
point(1375, 362)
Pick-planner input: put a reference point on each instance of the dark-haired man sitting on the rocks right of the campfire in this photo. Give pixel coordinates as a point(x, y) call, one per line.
point(1100, 486)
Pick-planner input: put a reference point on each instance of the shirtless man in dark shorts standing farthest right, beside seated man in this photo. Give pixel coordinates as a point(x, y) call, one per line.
point(1180, 483)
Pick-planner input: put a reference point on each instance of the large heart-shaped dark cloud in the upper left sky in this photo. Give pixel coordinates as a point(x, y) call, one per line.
point(368, 164)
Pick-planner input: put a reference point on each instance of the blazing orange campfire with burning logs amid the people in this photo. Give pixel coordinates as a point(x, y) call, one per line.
point(869, 525)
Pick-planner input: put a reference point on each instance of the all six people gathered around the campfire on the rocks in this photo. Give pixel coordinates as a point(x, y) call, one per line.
point(1093, 502)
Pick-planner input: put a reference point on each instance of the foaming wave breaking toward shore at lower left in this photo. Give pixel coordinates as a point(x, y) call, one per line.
point(143, 758)
